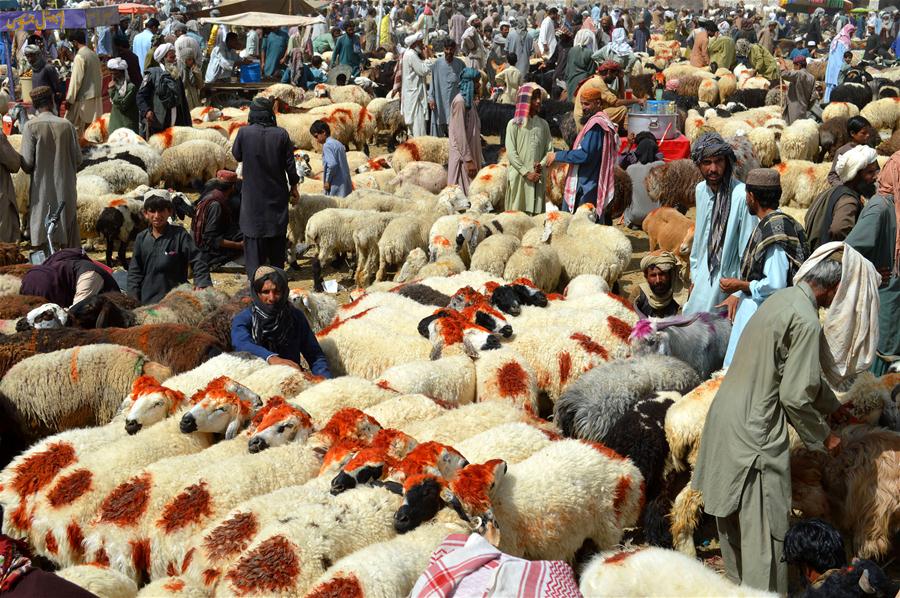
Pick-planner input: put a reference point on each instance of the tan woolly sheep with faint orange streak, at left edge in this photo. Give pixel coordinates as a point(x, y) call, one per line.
point(92, 380)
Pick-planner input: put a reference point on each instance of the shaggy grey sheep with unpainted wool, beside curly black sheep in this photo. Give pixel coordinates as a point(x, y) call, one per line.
point(590, 406)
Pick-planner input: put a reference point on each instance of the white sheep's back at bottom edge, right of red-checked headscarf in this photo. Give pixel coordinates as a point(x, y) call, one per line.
point(643, 572)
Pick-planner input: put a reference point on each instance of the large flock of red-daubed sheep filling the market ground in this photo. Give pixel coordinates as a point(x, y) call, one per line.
point(221, 475)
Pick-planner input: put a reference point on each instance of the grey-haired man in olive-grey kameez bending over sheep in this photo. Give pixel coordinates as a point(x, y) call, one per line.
point(743, 469)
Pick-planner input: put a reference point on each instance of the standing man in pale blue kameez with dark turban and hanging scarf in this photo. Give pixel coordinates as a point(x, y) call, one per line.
point(723, 224)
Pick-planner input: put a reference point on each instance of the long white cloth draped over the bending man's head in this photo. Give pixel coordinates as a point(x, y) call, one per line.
point(850, 330)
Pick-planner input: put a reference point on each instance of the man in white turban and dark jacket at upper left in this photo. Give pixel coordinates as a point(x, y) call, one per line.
point(161, 99)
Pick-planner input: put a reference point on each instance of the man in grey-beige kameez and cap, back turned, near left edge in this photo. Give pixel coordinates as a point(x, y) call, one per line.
point(51, 155)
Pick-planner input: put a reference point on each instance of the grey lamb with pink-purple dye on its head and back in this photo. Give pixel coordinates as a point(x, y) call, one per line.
point(700, 341)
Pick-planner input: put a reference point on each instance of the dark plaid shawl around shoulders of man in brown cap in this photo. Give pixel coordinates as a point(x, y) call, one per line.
point(775, 229)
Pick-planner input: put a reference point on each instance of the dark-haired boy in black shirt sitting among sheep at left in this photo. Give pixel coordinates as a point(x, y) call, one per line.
point(161, 255)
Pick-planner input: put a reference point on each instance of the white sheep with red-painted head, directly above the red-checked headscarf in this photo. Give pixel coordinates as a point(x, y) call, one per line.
point(544, 511)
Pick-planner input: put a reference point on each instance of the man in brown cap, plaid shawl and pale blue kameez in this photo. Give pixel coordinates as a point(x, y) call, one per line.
point(773, 255)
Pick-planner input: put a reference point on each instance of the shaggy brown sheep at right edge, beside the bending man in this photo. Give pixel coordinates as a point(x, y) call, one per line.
point(858, 489)
